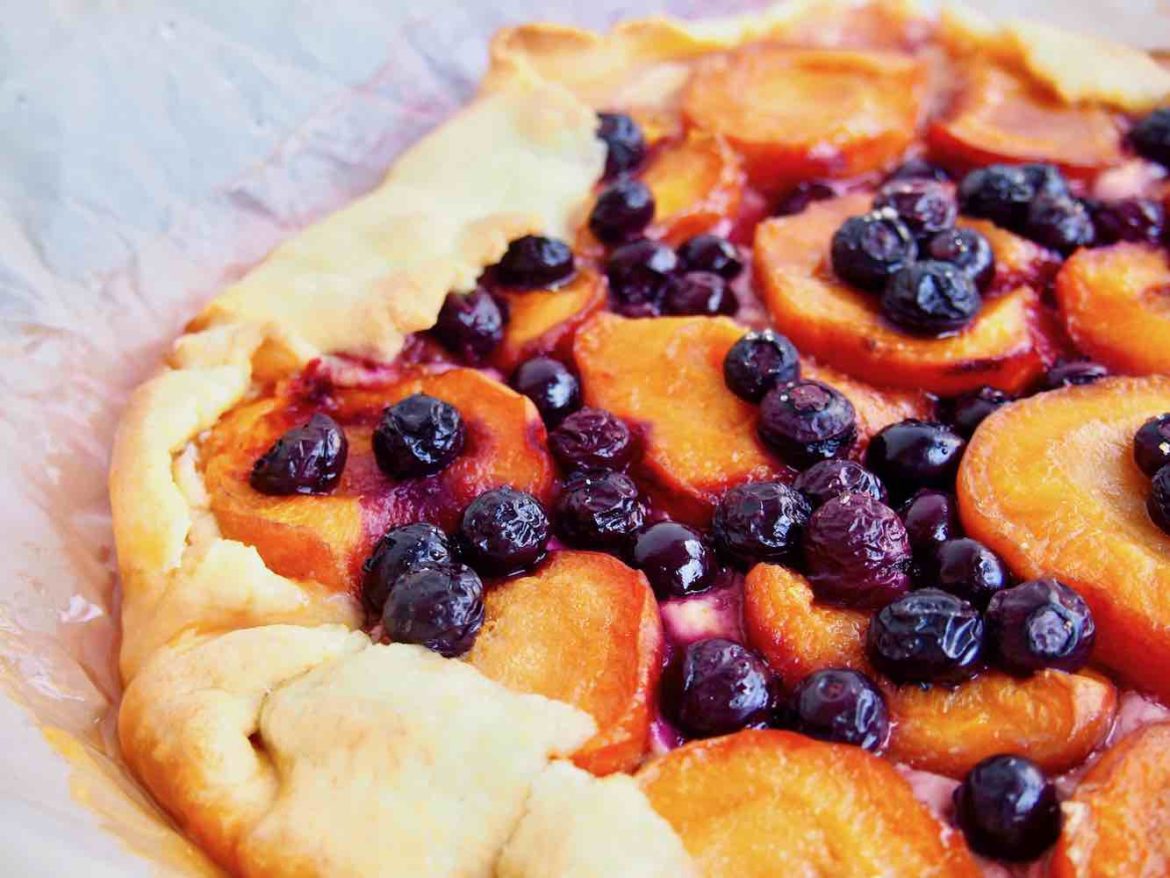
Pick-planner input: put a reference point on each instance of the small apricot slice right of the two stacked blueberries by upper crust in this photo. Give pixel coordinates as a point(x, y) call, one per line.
point(698, 184)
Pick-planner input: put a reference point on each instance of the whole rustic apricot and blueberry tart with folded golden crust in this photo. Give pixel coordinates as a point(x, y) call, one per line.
point(755, 462)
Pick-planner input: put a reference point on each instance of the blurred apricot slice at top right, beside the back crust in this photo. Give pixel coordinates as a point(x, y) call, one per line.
point(1000, 116)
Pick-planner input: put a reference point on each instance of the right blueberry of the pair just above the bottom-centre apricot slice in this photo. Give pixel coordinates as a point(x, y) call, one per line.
point(843, 706)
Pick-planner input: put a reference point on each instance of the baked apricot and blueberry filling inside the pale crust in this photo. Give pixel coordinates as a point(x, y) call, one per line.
point(827, 468)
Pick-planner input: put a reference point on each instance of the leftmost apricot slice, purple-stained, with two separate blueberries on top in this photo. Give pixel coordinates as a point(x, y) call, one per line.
point(327, 538)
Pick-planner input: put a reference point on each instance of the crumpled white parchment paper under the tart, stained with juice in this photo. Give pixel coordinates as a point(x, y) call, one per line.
point(150, 152)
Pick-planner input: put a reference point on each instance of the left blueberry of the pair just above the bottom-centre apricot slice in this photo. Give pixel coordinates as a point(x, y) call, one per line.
point(715, 688)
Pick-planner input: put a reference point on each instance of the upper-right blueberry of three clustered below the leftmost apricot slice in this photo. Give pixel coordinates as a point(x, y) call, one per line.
point(505, 531)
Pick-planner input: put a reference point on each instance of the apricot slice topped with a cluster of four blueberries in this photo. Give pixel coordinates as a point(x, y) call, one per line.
point(844, 328)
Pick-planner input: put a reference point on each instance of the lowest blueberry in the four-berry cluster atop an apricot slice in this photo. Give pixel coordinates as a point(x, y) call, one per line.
point(931, 299)
